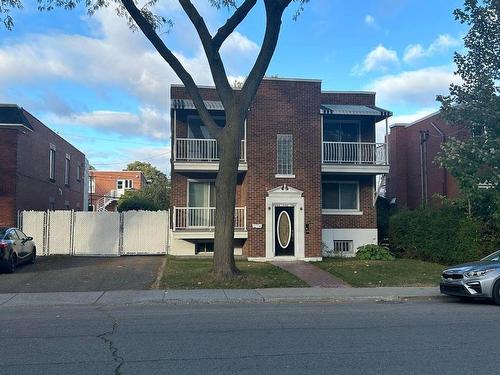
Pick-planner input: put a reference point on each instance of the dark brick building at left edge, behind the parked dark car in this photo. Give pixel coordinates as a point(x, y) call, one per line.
point(39, 170)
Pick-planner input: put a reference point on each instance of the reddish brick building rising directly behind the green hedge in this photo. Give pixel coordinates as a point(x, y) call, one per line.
point(414, 178)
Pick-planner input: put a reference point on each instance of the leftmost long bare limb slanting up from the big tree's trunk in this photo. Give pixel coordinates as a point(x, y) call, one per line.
point(174, 63)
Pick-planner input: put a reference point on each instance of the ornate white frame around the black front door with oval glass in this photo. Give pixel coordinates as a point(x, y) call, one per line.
point(290, 197)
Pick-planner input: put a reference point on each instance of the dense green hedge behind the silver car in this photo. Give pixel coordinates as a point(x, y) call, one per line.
point(444, 235)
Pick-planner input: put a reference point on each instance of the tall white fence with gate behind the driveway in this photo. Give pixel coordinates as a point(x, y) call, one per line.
point(97, 233)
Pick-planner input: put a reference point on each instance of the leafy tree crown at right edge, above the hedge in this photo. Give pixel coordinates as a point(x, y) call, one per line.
point(475, 104)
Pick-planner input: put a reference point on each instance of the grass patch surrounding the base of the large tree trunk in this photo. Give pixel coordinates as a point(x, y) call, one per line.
point(188, 273)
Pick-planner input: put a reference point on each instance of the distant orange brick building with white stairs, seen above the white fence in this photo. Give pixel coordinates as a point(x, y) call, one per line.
point(106, 187)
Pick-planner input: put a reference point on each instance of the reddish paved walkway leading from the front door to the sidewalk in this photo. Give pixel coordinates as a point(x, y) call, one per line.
point(312, 275)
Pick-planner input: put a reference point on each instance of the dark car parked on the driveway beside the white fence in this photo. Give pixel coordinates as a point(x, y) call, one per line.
point(15, 248)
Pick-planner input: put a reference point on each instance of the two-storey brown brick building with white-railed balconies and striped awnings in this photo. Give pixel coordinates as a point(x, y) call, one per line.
point(307, 172)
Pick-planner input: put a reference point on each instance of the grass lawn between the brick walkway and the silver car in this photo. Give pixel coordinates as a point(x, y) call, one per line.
point(400, 272)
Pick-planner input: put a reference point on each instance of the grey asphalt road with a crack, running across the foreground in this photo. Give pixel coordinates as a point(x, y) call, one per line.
point(426, 337)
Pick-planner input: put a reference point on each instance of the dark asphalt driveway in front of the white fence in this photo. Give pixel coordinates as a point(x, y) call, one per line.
point(79, 274)
